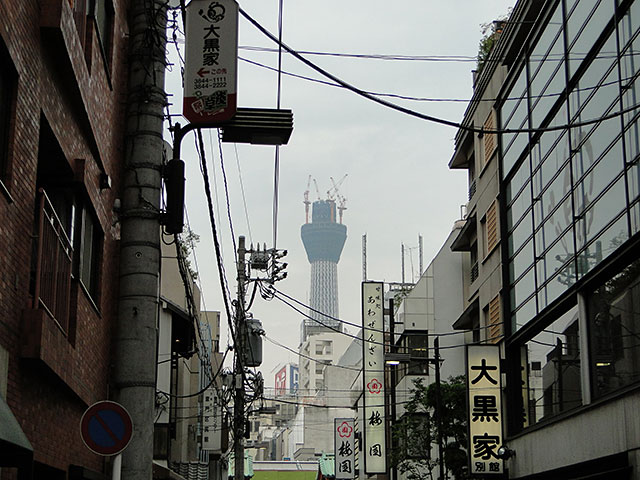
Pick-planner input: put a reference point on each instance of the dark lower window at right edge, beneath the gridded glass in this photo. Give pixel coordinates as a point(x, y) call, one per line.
point(614, 322)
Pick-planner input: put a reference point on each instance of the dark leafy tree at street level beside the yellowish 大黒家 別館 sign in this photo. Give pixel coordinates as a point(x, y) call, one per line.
point(415, 435)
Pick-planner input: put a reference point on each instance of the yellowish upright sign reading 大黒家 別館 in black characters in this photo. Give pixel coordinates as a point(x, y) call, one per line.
point(485, 409)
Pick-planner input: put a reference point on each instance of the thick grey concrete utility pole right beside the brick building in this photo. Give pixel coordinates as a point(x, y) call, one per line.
point(134, 378)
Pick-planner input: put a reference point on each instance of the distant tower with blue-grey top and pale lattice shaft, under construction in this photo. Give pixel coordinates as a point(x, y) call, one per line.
point(323, 240)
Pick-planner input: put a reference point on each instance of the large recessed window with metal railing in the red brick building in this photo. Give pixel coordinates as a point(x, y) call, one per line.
point(68, 238)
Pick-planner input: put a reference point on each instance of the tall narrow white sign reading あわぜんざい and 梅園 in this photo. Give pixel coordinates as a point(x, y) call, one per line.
point(373, 376)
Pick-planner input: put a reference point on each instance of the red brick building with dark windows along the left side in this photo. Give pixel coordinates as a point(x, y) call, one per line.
point(62, 98)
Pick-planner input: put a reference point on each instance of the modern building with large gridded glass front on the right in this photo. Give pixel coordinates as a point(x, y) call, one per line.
point(563, 133)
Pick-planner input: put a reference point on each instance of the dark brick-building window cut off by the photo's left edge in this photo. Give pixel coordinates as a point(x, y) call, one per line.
point(8, 80)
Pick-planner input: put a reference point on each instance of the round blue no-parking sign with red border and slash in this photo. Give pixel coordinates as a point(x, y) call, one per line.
point(106, 428)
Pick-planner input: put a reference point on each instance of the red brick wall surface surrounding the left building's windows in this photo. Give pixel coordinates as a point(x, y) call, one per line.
point(83, 102)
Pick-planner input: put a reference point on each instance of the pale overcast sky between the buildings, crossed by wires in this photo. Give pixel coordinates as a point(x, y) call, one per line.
point(398, 184)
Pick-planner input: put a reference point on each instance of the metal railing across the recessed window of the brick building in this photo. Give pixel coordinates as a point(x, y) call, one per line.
point(53, 264)
